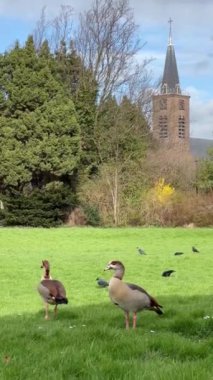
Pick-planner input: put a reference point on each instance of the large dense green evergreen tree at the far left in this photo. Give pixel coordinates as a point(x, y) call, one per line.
point(39, 136)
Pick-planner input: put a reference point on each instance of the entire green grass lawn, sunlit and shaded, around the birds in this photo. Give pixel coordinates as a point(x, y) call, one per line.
point(88, 339)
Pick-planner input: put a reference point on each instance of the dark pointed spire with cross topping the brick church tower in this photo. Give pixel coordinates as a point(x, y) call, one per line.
point(170, 82)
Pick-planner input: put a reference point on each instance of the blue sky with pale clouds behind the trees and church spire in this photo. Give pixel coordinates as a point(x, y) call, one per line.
point(192, 36)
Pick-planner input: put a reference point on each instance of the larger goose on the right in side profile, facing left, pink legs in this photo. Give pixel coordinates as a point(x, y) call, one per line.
point(129, 297)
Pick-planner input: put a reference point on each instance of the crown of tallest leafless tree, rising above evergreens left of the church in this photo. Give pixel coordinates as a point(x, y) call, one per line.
point(107, 42)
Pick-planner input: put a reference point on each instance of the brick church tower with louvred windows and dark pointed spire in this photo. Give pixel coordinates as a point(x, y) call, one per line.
point(170, 118)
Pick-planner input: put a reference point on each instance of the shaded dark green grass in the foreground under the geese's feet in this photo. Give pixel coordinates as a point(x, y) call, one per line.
point(93, 338)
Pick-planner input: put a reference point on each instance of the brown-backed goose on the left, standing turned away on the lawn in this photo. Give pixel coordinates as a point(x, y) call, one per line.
point(52, 291)
